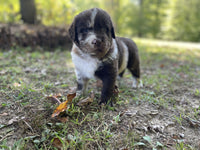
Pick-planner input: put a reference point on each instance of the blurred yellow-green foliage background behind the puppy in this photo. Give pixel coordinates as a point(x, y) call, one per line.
point(163, 19)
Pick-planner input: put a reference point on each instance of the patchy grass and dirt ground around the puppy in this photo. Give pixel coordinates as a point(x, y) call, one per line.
point(152, 117)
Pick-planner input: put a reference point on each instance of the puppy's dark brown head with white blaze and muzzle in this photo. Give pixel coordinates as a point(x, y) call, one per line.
point(92, 31)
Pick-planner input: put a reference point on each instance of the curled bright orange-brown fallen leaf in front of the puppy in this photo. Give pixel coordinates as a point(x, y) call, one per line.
point(63, 106)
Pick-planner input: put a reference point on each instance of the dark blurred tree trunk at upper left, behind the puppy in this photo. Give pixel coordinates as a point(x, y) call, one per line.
point(28, 11)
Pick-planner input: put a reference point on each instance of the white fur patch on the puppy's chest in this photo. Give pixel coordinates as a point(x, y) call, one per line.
point(85, 65)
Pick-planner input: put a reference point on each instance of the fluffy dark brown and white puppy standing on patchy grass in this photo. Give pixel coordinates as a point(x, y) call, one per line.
point(98, 53)
